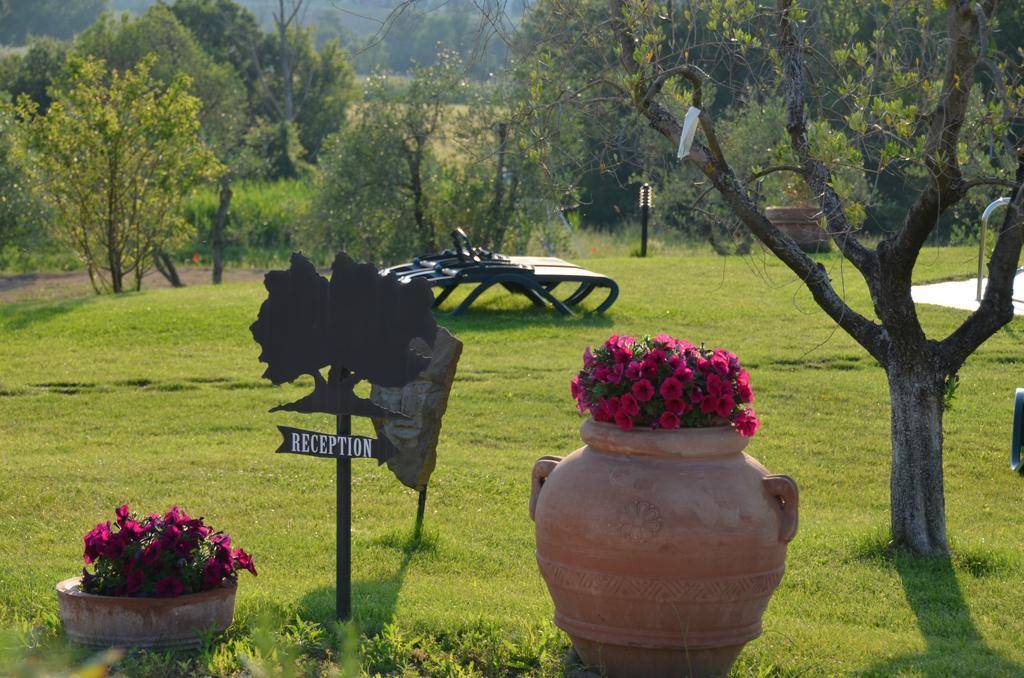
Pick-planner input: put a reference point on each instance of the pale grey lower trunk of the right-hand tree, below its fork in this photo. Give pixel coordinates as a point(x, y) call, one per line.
point(917, 500)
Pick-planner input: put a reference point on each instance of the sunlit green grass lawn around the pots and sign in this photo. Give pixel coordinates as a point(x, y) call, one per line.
point(156, 399)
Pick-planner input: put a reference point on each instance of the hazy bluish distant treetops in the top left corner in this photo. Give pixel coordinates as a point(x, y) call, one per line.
point(61, 19)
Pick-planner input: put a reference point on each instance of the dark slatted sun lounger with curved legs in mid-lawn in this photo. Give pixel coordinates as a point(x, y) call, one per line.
point(535, 278)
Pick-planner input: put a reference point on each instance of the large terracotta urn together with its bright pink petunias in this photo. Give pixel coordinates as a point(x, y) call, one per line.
point(660, 540)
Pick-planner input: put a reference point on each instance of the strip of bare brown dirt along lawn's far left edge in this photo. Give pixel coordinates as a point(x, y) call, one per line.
point(50, 287)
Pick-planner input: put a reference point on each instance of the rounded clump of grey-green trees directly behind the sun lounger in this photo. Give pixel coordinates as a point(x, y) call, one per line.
point(411, 167)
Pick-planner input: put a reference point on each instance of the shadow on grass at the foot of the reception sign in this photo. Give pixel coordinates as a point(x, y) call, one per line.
point(374, 602)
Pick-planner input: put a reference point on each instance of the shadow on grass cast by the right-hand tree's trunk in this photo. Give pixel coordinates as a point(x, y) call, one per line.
point(954, 646)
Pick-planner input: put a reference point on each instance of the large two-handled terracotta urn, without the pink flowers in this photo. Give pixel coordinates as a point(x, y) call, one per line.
point(661, 549)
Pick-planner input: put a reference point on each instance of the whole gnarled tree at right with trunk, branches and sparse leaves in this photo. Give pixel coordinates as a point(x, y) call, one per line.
point(898, 97)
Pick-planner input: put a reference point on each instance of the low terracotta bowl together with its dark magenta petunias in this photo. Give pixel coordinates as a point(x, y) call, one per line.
point(158, 582)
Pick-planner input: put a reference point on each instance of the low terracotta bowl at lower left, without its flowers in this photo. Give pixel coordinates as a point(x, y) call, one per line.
point(150, 623)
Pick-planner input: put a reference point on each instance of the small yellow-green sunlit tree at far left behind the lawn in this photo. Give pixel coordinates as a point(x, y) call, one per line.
point(113, 158)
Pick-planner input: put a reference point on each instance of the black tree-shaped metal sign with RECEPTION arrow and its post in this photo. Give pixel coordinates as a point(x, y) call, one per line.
point(360, 326)
